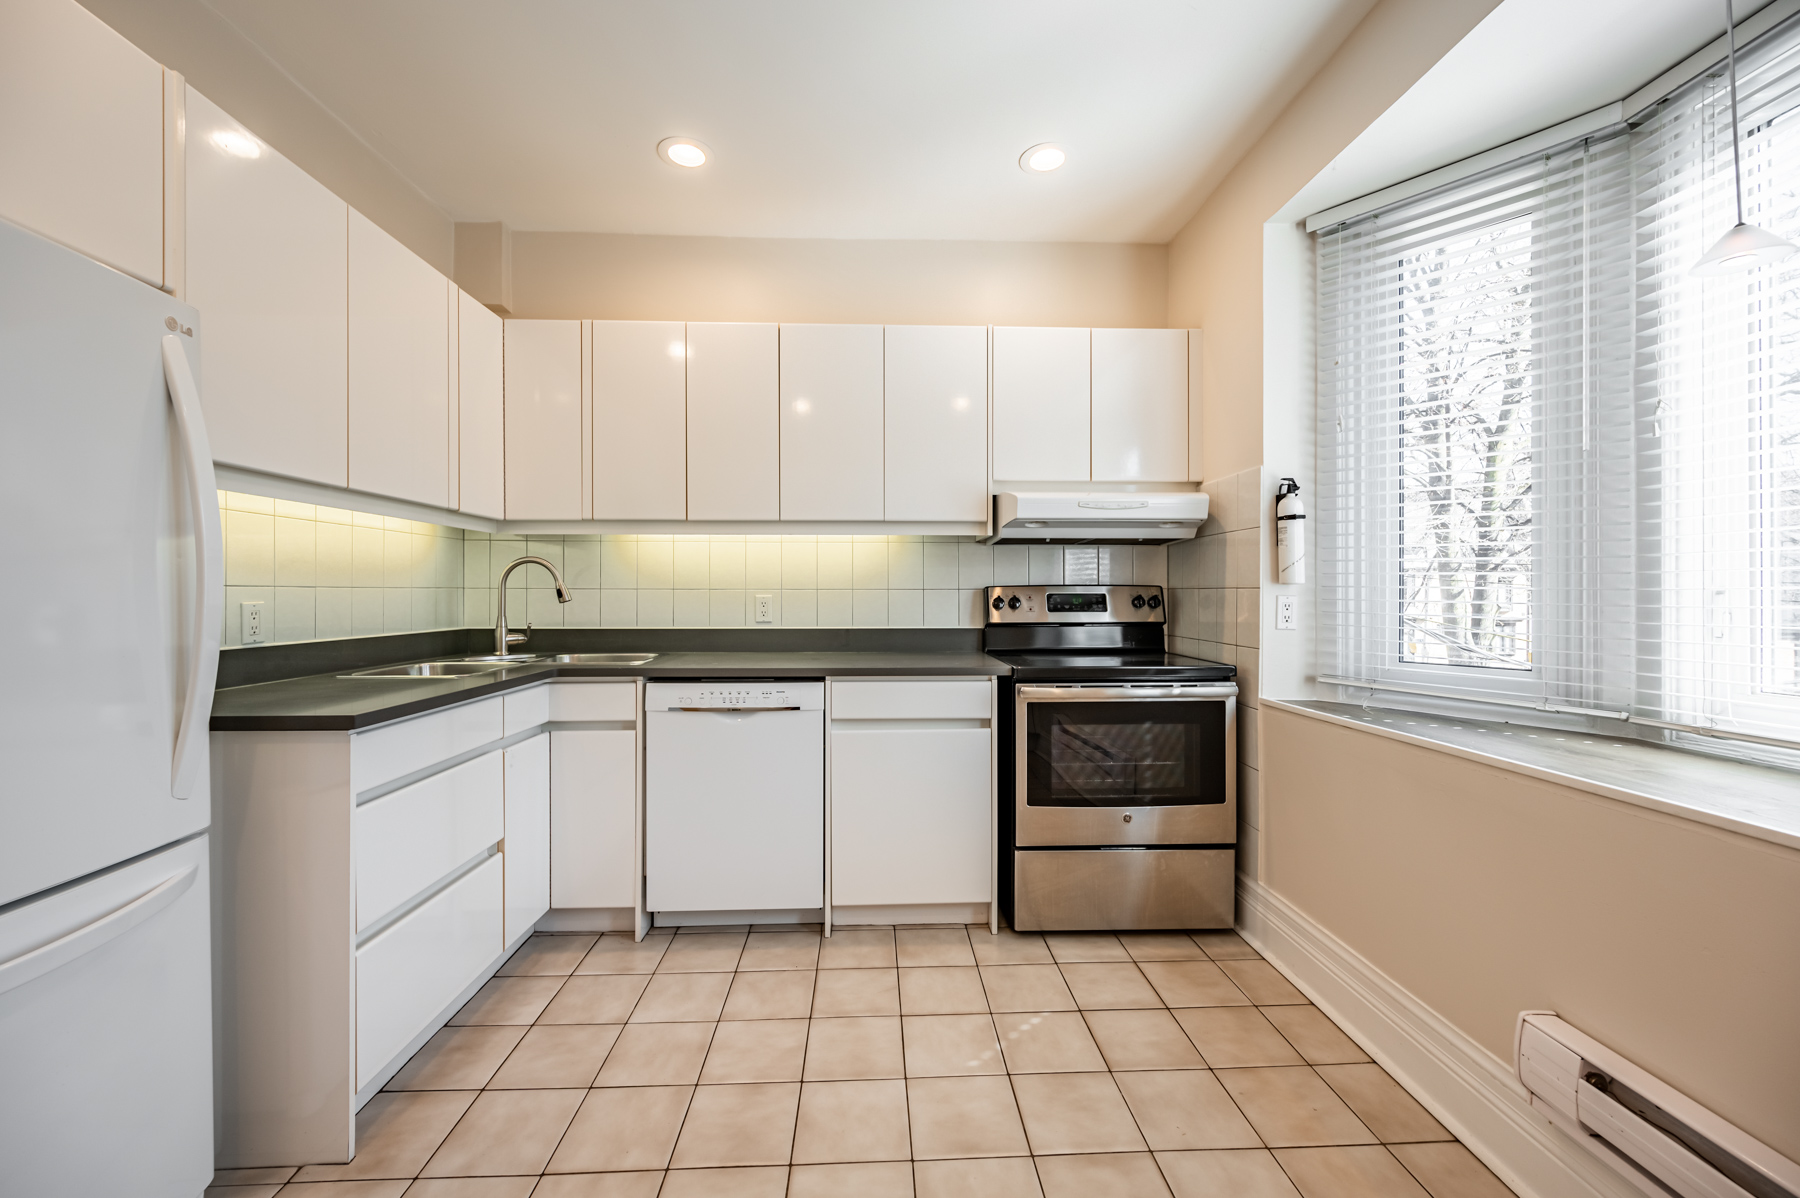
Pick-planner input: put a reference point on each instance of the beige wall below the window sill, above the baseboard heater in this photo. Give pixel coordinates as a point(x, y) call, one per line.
point(1486, 893)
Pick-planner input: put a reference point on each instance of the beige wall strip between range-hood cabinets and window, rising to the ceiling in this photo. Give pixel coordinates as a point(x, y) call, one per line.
point(1216, 264)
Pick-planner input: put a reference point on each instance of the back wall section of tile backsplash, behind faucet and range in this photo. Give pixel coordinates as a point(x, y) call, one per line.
point(814, 582)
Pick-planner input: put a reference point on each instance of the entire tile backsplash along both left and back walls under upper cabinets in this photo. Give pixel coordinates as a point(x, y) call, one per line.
point(327, 573)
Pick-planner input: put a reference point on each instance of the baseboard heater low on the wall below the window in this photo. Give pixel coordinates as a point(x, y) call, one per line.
point(1657, 1138)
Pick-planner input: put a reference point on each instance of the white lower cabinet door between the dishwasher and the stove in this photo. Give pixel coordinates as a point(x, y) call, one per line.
point(912, 819)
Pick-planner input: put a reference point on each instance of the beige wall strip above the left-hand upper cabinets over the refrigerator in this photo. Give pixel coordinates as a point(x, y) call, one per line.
point(229, 71)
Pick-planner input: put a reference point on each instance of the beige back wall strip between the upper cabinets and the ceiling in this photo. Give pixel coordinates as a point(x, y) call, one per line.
point(625, 278)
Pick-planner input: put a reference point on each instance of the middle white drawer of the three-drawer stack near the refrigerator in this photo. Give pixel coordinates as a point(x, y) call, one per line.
point(417, 836)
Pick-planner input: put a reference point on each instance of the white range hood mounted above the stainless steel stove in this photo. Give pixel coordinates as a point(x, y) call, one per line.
point(1077, 519)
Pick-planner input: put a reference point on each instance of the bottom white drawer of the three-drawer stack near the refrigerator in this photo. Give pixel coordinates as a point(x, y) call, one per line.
point(408, 976)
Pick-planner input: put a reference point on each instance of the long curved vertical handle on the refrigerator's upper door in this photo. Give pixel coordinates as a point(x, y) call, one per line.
point(210, 569)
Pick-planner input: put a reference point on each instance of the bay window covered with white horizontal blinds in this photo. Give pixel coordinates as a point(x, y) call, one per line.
point(1558, 470)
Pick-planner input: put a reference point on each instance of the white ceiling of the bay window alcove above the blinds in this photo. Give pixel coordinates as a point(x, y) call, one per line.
point(1529, 66)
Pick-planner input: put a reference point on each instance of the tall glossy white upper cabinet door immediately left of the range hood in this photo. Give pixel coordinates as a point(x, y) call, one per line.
point(937, 415)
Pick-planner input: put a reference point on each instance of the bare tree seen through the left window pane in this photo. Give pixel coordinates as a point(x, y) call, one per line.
point(1466, 451)
